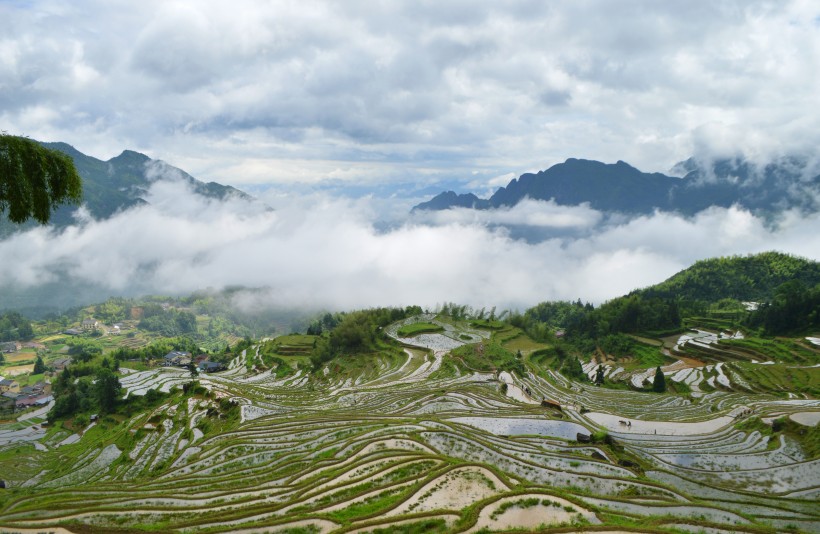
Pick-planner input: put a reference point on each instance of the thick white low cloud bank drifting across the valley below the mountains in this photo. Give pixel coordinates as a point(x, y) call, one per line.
point(323, 253)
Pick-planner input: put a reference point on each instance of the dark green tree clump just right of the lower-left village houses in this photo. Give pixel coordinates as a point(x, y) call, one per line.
point(85, 388)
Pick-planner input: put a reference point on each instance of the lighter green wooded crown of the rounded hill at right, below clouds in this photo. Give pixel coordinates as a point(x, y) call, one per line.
point(744, 278)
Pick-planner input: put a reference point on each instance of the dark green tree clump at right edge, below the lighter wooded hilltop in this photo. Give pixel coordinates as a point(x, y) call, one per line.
point(794, 308)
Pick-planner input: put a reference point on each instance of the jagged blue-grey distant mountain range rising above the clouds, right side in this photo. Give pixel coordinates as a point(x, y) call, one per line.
point(783, 184)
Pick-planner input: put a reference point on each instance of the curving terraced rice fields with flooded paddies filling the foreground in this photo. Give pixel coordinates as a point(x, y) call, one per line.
point(410, 444)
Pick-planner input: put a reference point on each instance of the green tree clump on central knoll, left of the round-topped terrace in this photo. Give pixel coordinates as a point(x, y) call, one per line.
point(357, 332)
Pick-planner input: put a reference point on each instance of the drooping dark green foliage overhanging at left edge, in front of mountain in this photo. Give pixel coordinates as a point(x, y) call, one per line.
point(34, 179)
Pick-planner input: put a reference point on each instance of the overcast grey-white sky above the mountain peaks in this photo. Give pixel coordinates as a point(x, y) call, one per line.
point(252, 92)
